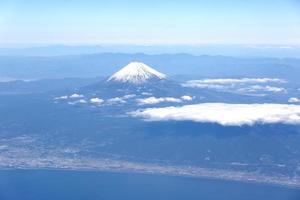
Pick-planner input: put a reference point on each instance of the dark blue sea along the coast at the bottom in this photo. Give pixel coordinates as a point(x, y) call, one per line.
point(72, 185)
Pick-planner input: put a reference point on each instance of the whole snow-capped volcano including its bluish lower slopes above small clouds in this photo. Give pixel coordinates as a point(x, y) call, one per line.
point(137, 78)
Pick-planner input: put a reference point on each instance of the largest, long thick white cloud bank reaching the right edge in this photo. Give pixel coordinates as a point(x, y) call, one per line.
point(225, 114)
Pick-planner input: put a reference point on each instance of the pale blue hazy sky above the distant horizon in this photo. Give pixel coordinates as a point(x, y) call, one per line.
point(150, 22)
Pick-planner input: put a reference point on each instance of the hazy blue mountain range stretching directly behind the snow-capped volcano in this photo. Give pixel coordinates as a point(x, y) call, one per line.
point(105, 64)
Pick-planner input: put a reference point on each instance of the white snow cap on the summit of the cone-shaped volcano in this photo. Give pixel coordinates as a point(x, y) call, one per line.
point(136, 73)
